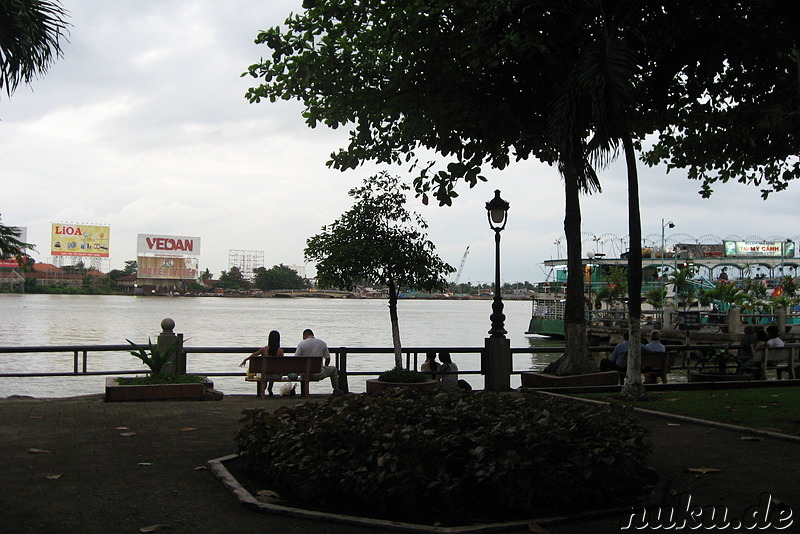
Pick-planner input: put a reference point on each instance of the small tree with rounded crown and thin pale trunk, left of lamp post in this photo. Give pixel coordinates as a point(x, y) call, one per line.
point(379, 241)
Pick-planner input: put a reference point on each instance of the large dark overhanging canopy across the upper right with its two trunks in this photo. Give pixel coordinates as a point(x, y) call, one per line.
point(568, 82)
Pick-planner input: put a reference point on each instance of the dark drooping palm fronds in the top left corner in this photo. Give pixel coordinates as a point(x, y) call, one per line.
point(30, 39)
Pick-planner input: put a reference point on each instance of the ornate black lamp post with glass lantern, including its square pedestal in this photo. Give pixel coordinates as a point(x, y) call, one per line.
point(496, 358)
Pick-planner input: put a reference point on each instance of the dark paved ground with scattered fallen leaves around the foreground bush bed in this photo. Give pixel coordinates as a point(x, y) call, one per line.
point(119, 467)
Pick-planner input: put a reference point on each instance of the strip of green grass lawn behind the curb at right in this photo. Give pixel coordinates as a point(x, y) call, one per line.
point(772, 409)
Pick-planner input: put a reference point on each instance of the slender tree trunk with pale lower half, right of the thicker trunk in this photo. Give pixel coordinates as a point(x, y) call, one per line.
point(633, 388)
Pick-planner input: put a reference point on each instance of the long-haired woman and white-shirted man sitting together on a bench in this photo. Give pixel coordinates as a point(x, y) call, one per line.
point(309, 347)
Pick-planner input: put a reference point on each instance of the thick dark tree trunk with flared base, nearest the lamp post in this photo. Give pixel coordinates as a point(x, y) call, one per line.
point(576, 358)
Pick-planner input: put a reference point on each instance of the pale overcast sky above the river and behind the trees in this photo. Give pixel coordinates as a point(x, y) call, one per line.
point(143, 126)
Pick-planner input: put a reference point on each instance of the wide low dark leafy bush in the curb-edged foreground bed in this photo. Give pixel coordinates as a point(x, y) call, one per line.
point(434, 457)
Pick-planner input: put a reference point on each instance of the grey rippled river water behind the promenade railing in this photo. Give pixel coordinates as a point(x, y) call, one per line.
point(40, 320)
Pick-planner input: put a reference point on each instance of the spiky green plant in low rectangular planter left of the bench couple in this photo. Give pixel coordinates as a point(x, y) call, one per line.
point(159, 383)
